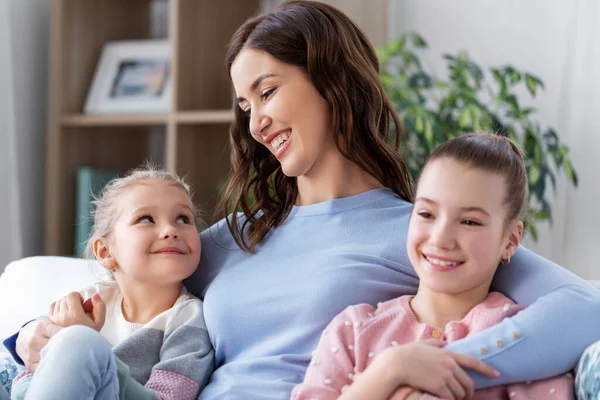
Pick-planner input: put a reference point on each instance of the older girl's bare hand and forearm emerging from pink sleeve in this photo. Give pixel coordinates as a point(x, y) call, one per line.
point(428, 368)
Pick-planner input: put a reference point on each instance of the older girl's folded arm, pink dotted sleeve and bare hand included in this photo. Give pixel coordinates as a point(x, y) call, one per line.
point(422, 365)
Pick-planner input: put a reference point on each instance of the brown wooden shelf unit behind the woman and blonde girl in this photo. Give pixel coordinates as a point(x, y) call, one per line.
point(193, 135)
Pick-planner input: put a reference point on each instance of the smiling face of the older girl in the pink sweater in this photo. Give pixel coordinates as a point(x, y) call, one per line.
point(458, 234)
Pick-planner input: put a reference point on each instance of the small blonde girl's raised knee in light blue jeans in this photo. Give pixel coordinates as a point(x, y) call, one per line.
point(78, 364)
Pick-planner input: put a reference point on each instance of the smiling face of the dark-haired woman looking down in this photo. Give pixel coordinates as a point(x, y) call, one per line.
point(287, 114)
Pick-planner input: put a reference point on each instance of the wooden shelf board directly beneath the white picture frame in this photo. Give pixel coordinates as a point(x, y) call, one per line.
point(114, 120)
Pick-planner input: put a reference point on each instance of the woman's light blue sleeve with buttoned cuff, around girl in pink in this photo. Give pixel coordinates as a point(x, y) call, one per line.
point(545, 339)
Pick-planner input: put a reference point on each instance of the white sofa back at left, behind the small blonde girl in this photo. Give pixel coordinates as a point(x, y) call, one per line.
point(29, 285)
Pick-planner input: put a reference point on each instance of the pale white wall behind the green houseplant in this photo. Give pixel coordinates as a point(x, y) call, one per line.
point(558, 41)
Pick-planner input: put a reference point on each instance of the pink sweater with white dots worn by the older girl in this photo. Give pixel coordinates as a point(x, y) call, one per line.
point(357, 335)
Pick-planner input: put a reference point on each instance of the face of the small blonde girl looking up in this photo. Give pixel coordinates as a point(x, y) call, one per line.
point(154, 238)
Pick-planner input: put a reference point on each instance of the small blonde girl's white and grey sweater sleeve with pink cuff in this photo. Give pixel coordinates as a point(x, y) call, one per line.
point(186, 356)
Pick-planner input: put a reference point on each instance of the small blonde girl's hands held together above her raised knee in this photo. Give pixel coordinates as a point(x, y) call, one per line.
point(70, 310)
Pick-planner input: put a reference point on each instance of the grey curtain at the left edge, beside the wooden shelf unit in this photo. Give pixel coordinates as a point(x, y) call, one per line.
point(23, 71)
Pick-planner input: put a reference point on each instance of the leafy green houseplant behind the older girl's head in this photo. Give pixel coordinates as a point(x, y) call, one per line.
point(471, 99)
